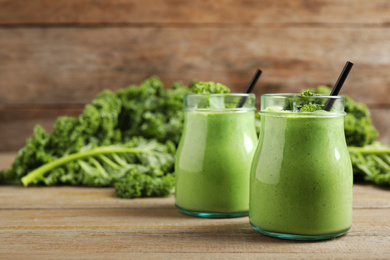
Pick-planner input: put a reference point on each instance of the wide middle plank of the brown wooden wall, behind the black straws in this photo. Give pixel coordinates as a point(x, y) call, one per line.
point(71, 65)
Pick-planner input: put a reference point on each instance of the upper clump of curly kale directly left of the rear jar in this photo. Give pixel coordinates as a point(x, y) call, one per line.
point(151, 112)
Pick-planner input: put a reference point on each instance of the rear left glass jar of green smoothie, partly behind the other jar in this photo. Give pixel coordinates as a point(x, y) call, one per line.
point(214, 156)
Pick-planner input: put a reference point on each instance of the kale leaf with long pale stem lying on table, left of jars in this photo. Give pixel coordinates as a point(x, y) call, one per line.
point(149, 160)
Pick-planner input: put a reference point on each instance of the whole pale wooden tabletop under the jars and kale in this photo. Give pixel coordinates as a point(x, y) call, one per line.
point(79, 222)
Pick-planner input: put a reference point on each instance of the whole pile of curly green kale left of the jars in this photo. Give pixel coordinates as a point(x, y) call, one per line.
point(122, 137)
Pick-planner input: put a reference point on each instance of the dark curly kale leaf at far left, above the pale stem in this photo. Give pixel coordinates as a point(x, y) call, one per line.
point(95, 126)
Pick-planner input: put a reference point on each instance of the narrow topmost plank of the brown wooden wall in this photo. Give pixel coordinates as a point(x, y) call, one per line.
point(14, 12)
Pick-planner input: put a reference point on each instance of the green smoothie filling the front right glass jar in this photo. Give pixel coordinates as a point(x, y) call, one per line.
point(301, 177)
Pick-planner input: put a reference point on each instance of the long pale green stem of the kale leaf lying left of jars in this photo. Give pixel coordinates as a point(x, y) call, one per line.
point(40, 171)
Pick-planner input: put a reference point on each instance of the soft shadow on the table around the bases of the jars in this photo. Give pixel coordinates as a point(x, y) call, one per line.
point(182, 230)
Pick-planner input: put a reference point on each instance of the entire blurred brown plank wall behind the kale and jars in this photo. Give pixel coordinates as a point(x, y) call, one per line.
point(56, 55)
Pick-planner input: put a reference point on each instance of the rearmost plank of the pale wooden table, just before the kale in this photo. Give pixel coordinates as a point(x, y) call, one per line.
point(17, 198)
